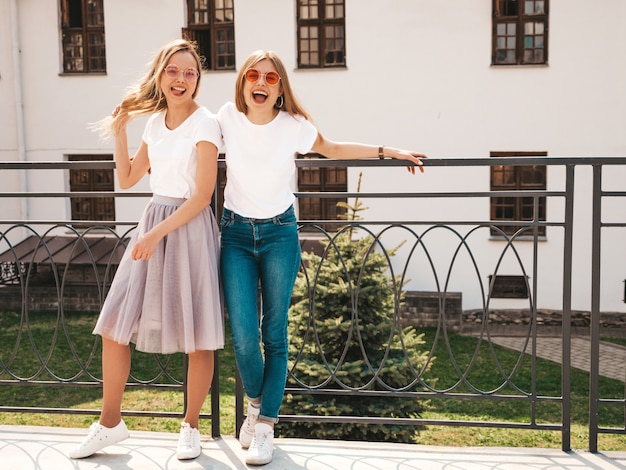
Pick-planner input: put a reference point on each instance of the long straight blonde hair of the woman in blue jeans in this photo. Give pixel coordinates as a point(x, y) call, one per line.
point(290, 104)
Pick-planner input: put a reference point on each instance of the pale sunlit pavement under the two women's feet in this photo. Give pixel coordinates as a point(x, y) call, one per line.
point(42, 448)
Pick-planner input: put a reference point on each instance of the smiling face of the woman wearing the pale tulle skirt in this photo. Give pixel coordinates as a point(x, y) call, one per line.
point(179, 87)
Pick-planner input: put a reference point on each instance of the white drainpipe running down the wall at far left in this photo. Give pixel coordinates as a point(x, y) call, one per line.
point(19, 106)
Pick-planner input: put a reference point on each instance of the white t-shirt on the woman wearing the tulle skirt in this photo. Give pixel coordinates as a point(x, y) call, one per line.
point(173, 153)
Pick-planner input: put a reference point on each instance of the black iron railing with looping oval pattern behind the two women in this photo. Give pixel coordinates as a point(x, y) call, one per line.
point(437, 251)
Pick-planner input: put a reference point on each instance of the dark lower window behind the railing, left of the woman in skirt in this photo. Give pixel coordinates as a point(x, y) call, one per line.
point(96, 179)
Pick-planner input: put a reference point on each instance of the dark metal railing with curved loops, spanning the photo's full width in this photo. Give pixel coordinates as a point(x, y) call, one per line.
point(433, 248)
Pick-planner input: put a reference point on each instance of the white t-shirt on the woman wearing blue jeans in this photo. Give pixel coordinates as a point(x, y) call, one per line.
point(260, 161)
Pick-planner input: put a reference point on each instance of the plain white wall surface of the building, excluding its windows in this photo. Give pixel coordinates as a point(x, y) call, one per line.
point(418, 76)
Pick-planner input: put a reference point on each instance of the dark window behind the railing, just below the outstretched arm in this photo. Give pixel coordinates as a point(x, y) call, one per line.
point(317, 179)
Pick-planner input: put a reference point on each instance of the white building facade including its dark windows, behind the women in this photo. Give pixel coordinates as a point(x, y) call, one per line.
point(454, 79)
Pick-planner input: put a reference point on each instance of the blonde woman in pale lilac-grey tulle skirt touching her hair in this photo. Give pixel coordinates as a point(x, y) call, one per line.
point(165, 296)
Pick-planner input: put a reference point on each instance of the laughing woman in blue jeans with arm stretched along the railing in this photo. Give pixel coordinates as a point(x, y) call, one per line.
point(263, 131)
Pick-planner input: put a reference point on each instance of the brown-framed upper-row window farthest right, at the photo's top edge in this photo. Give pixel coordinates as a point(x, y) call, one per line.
point(520, 32)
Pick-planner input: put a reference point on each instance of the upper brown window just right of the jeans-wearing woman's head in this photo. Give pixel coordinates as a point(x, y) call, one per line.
point(321, 26)
